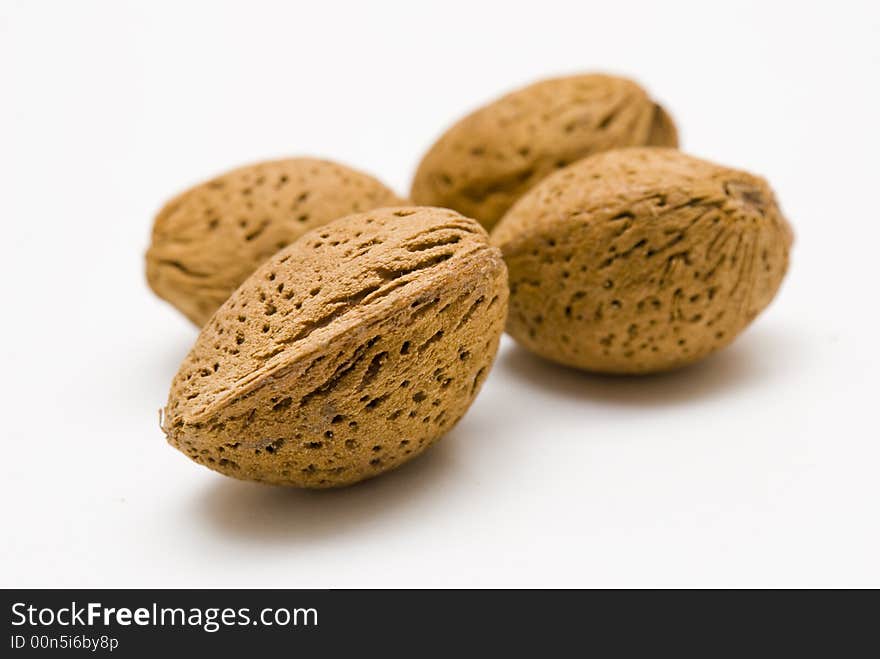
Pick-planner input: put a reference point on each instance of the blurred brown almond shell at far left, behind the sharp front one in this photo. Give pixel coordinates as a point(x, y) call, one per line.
point(209, 239)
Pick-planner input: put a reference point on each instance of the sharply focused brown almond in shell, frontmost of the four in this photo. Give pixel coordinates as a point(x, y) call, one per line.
point(347, 353)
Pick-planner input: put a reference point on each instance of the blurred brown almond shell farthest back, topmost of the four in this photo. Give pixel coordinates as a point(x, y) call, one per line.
point(486, 161)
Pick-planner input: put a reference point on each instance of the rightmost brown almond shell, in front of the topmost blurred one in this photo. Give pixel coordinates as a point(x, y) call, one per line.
point(641, 260)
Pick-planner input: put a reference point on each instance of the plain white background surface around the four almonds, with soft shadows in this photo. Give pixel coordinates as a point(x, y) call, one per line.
point(758, 467)
